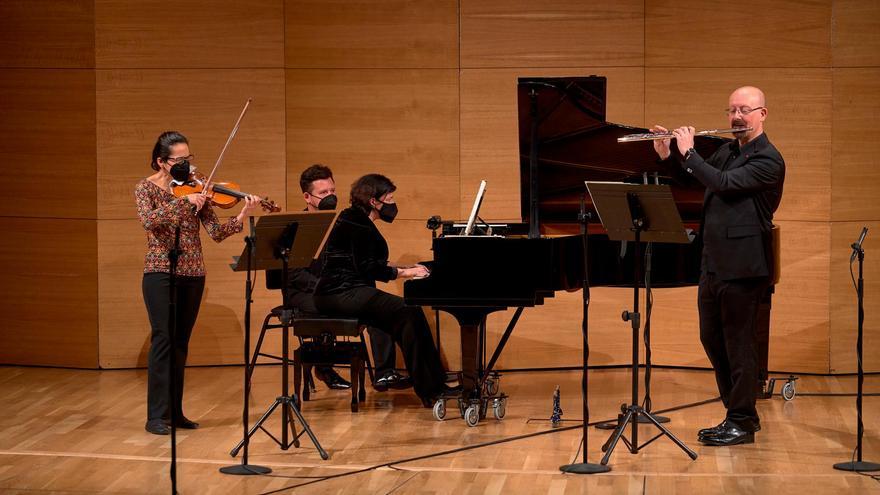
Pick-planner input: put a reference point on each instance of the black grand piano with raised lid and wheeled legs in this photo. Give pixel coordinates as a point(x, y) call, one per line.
point(564, 141)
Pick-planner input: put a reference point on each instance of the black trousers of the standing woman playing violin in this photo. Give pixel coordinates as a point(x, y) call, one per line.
point(156, 297)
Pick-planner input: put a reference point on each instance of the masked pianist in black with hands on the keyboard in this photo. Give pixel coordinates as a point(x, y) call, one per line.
point(355, 258)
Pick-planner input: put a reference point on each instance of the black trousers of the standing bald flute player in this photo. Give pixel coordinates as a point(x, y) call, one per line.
point(728, 330)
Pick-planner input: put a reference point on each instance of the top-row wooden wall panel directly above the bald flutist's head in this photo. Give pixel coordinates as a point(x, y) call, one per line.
point(751, 33)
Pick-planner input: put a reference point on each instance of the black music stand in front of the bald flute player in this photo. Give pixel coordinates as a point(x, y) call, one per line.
point(639, 213)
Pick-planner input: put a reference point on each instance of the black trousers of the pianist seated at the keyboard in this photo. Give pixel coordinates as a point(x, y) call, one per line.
point(406, 325)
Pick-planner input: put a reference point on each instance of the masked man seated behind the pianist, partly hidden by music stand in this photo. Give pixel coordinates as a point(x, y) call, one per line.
point(319, 193)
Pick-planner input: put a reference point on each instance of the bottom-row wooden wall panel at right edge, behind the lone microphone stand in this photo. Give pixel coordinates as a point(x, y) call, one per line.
point(843, 301)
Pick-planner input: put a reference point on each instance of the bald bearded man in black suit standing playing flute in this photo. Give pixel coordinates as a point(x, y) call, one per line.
point(743, 182)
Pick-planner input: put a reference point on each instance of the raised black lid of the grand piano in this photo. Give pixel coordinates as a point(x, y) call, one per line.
point(576, 143)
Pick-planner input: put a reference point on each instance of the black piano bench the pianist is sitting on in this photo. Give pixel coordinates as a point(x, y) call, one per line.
point(320, 345)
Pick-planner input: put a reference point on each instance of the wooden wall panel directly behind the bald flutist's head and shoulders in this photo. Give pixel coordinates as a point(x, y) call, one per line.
point(801, 132)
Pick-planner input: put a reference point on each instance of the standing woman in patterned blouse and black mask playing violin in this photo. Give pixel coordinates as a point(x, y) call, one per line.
point(161, 214)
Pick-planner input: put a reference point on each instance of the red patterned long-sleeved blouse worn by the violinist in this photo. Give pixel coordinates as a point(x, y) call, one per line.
point(160, 212)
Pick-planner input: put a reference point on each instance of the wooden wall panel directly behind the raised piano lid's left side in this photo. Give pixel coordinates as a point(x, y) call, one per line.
point(489, 128)
